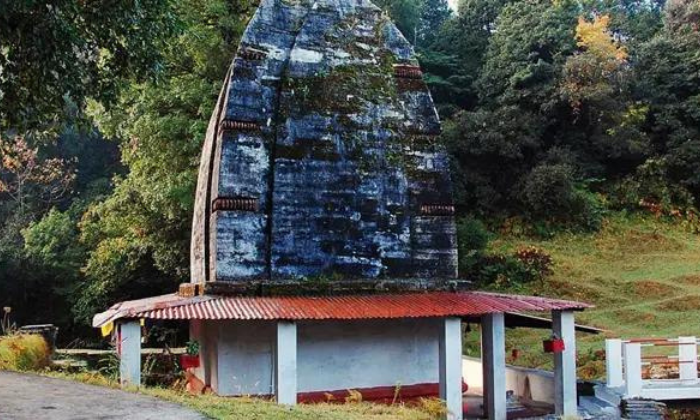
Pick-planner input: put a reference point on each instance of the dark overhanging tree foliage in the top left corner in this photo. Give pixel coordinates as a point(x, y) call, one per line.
point(65, 51)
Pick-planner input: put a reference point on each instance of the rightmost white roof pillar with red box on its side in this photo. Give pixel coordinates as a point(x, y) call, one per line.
point(565, 402)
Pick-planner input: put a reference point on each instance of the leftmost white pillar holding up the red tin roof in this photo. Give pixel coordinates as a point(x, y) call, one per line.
point(129, 347)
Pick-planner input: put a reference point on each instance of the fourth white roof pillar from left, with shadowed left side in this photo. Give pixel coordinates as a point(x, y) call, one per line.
point(493, 360)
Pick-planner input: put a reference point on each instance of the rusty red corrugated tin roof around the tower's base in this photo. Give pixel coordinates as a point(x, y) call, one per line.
point(417, 305)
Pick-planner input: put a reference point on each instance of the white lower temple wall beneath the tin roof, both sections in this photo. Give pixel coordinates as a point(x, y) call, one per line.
point(331, 355)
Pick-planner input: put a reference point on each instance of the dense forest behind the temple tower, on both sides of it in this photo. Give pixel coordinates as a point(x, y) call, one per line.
point(555, 112)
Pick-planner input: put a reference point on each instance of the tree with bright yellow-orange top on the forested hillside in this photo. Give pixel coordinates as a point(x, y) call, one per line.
point(596, 84)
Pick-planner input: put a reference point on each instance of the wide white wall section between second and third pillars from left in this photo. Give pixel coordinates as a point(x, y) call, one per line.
point(367, 354)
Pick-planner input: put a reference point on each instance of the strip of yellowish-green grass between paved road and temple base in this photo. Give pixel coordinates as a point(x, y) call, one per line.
point(245, 408)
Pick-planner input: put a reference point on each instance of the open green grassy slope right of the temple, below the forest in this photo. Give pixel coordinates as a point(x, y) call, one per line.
point(643, 276)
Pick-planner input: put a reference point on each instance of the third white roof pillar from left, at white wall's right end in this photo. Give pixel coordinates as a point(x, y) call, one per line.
point(451, 367)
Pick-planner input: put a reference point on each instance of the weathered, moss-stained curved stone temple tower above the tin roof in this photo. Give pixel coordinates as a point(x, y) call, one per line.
point(321, 158)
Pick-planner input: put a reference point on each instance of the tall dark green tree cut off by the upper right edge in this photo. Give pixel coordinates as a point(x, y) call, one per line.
point(668, 82)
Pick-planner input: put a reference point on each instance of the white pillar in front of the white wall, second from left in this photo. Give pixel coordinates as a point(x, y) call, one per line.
point(286, 363)
